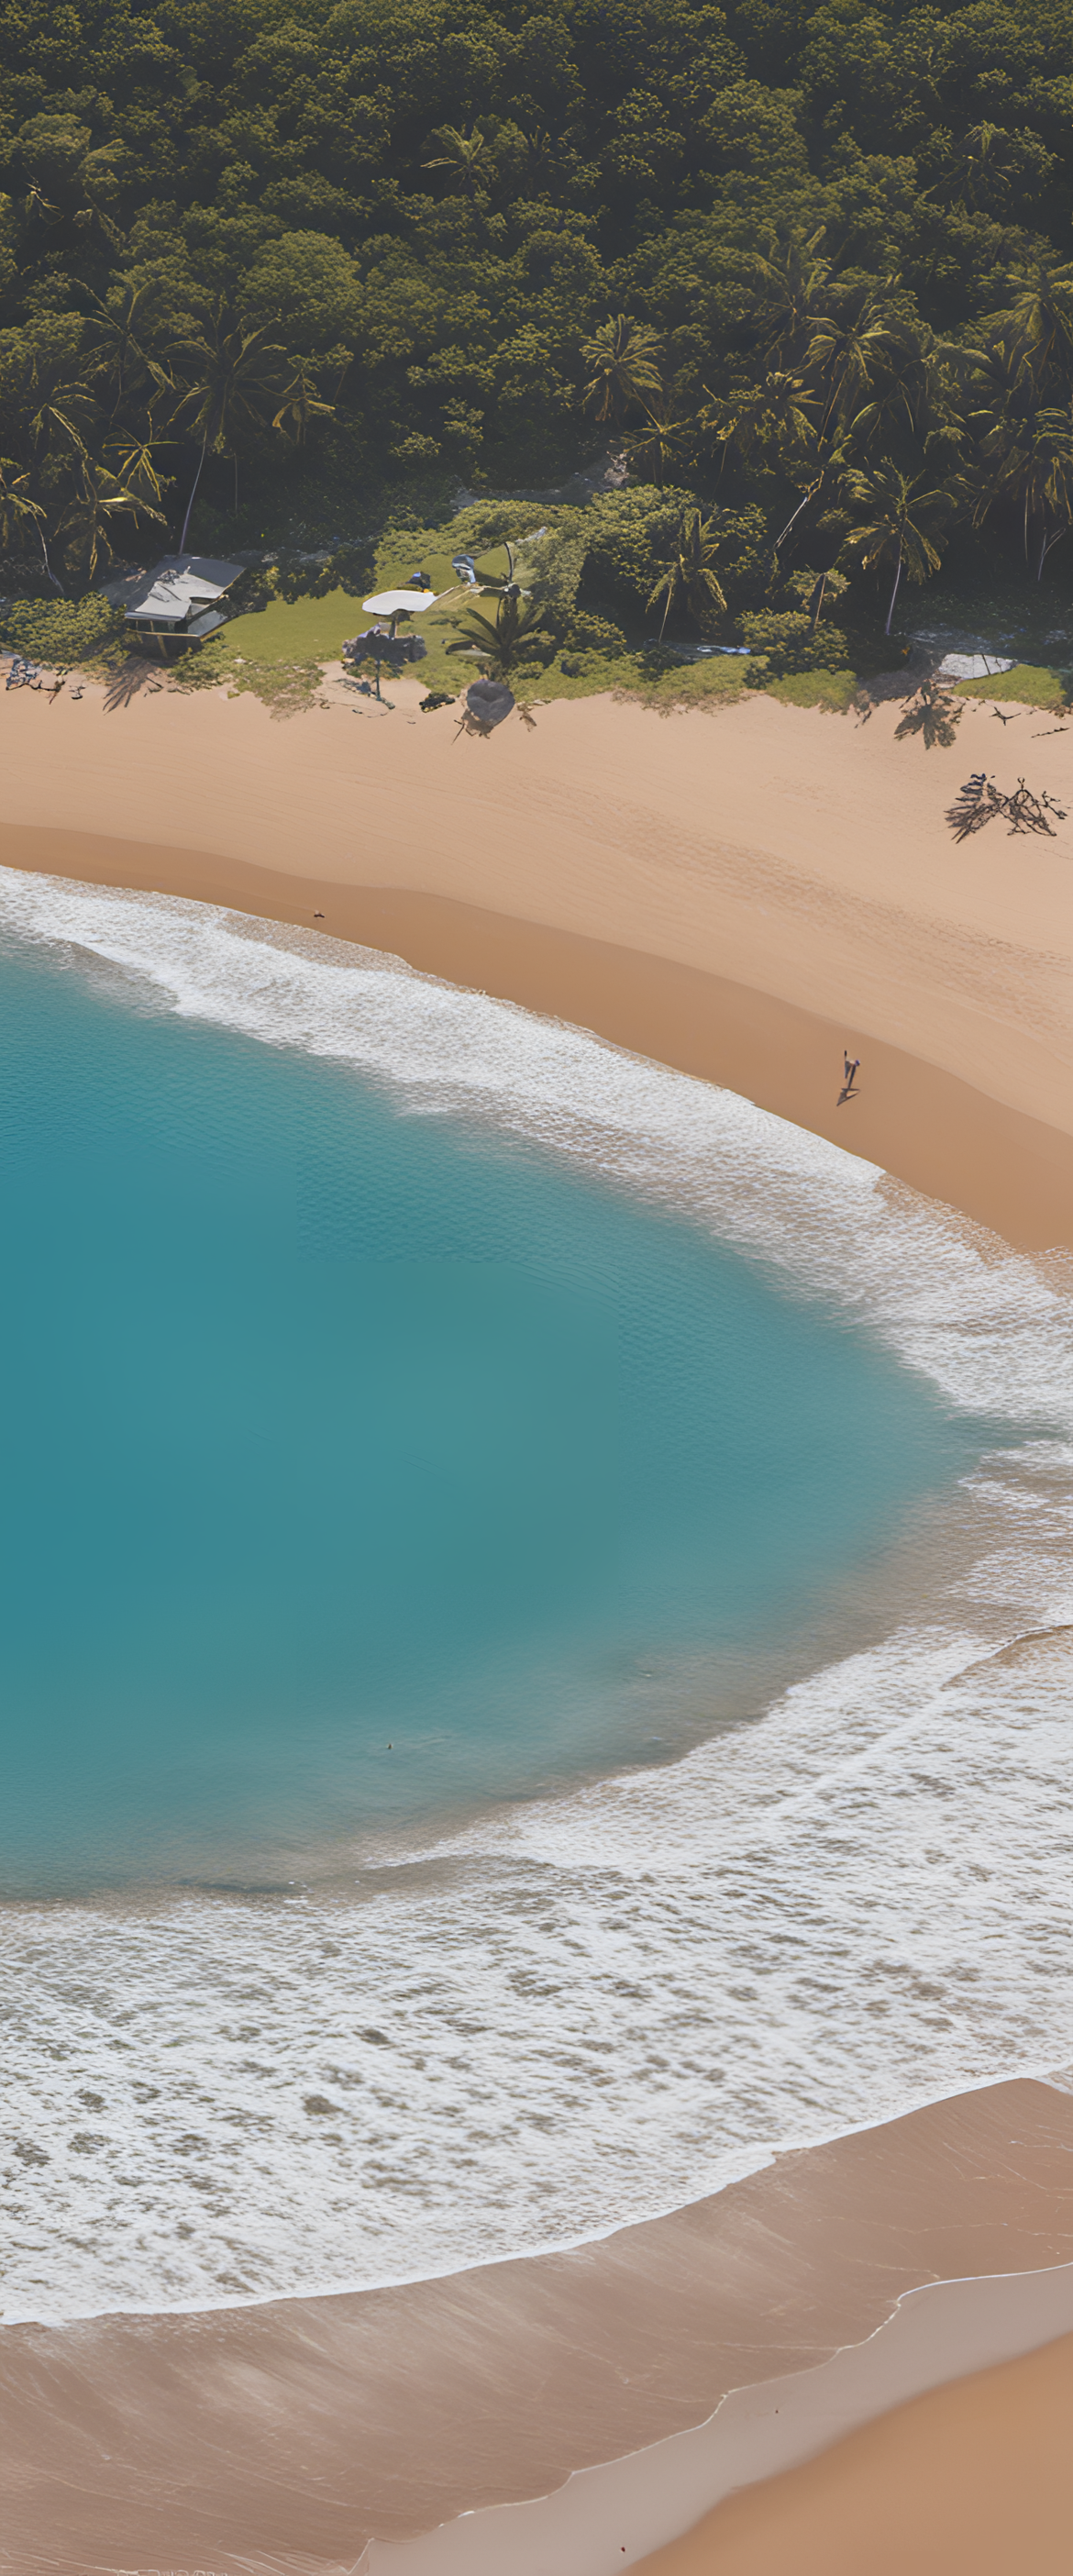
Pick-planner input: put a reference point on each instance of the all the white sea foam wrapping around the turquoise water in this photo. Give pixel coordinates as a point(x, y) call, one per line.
point(614, 2000)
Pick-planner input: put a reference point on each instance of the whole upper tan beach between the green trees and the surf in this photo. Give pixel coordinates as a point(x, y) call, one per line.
point(737, 895)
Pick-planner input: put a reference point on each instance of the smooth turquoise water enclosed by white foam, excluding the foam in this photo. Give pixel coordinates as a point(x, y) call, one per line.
point(333, 1428)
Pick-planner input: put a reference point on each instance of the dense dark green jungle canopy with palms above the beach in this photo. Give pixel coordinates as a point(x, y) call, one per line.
point(804, 267)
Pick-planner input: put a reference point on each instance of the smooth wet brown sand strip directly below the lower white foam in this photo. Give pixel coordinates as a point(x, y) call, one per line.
point(284, 2438)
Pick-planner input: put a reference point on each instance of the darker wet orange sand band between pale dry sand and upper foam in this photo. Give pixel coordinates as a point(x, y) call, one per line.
point(928, 1130)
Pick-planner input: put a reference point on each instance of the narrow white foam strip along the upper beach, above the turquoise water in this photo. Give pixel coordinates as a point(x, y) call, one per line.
point(982, 1323)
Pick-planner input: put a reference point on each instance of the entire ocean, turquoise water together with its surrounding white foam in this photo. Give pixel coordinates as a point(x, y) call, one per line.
point(531, 1642)
